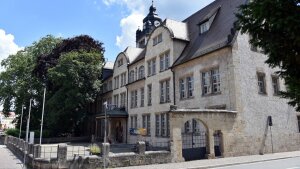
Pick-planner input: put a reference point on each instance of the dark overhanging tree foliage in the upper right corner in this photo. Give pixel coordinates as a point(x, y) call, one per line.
point(274, 26)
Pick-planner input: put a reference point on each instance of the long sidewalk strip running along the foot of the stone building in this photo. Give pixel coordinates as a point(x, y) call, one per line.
point(221, 162)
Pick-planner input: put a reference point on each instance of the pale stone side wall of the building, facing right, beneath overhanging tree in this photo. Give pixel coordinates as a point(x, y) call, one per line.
point(254, 108)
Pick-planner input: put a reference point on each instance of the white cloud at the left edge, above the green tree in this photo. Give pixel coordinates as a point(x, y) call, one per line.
point(7, 45)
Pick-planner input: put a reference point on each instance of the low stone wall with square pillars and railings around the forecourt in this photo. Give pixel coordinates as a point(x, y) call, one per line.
point(33, 154)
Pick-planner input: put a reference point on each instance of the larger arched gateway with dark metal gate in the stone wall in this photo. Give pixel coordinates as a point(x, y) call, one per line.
point(194, 140)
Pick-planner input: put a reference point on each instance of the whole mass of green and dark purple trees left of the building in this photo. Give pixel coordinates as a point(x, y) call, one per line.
point(70, 69)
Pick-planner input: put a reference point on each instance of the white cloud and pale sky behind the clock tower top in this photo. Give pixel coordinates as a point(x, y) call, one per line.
point(174, 9)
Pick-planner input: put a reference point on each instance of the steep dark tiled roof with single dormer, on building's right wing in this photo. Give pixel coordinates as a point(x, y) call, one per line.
point(220, 33)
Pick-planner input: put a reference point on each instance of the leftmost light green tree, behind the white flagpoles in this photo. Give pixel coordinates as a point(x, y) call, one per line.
point(18, 85)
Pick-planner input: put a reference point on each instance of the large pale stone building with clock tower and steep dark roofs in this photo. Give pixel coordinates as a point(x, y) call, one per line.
point(199, 85)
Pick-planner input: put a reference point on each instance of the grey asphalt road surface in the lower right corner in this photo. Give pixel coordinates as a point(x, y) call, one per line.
point(290, 163)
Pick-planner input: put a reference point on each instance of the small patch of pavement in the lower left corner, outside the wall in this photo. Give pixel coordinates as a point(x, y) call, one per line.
point(8, 160)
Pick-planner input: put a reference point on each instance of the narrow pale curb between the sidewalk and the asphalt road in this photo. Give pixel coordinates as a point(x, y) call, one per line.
point(239, 163)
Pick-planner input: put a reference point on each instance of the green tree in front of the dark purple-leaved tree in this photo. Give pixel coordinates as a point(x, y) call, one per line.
point(77, 79)
